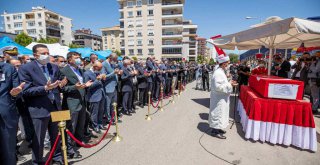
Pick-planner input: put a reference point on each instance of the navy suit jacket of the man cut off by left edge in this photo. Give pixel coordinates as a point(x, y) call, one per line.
point(8, 111)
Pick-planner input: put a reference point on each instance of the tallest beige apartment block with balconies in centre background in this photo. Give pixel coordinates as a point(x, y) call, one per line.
point(153, 28)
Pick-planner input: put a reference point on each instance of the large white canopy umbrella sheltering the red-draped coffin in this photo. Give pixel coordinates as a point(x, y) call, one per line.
point(280, 34)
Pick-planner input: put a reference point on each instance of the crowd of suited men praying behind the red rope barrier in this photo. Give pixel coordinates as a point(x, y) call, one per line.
point(30, 89)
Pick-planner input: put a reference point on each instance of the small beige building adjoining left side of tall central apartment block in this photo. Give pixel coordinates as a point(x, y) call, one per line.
point(111, 38)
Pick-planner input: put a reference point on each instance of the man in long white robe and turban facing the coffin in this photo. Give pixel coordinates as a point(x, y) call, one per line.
point(221, 89)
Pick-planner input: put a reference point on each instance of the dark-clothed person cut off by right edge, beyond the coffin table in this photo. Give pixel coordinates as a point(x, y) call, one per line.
point(313, 80)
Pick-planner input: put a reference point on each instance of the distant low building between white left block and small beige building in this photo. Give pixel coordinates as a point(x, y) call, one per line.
point(85, 38)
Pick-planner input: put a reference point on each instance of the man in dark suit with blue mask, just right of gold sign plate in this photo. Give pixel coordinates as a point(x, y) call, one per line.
point(74, 99)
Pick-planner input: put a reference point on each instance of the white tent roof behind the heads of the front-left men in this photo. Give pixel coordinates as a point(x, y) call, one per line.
point(54, 49)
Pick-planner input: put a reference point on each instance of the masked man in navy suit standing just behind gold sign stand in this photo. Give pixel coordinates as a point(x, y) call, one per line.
point(42, 95)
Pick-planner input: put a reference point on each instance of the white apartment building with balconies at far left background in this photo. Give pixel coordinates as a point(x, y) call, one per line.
point(39, 23)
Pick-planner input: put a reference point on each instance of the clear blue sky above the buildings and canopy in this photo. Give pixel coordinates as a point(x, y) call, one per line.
point(212, 16)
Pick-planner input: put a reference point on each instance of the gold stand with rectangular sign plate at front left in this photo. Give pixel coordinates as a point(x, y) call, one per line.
point(62, 117)
